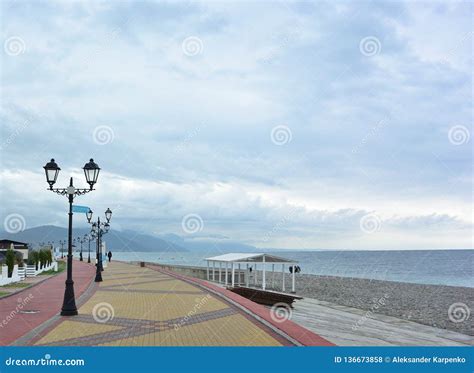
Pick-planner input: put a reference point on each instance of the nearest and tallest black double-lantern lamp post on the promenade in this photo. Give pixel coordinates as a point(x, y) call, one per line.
point(91, 172)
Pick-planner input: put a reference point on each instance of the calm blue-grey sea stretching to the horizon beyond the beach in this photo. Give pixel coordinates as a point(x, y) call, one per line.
point(441, 267)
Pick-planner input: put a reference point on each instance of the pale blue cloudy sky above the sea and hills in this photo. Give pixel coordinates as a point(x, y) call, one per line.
point(291, 124)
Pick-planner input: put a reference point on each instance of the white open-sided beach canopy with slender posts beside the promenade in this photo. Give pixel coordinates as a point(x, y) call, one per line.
point(237, 259)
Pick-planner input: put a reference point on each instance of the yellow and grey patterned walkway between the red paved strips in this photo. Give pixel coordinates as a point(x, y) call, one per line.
point(137, 306)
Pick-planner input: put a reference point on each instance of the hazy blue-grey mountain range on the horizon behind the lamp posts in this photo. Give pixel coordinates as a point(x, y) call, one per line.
point(115, 240)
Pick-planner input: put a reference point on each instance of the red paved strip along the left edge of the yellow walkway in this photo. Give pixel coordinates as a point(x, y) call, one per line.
point(45, 297)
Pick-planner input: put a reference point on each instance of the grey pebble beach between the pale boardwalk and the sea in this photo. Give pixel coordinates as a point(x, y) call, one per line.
point(446, 307)
